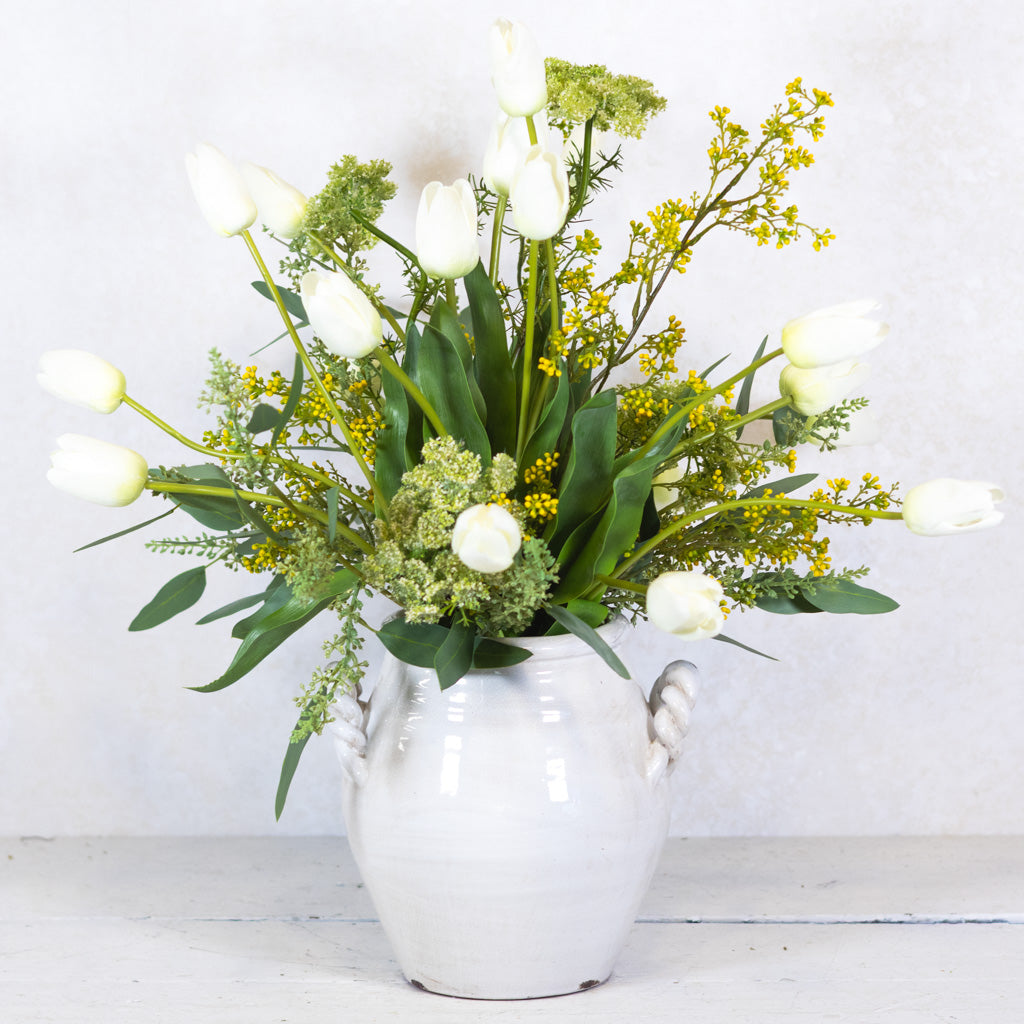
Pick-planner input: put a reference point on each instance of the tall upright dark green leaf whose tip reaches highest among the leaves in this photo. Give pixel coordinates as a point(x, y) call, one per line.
point(493, 365)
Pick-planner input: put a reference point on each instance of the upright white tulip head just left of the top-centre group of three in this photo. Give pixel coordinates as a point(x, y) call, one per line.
point(447, 245)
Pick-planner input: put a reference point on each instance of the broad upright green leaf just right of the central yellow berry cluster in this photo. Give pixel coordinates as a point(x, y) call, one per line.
point(588, 471)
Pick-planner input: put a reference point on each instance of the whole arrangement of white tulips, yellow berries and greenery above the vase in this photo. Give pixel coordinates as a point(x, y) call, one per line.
point(476, 455)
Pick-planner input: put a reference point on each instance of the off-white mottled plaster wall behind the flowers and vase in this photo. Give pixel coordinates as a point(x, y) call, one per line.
point(906, 723)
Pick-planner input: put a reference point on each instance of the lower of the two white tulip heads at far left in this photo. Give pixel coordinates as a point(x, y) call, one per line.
point(98, 472)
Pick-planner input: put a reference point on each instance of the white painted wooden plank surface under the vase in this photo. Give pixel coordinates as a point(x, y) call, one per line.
point(261, 931)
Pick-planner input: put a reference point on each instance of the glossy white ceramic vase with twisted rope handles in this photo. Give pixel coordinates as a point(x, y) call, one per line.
point(508, 828)
